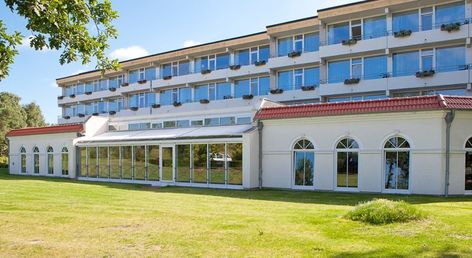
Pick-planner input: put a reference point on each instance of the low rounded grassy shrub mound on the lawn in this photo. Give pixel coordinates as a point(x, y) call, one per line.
point(382, 211)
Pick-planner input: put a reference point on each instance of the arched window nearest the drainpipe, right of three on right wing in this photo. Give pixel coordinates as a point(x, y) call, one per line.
point(397, 163)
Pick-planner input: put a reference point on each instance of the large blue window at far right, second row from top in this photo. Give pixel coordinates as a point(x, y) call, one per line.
point(450, 59)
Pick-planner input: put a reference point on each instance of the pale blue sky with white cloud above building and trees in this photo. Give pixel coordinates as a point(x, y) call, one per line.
point(147, 27)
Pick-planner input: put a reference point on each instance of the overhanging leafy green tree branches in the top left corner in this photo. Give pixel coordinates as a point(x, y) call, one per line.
point(62, 24)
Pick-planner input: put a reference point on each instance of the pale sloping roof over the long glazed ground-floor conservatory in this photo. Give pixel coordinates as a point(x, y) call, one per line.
point(168, 134)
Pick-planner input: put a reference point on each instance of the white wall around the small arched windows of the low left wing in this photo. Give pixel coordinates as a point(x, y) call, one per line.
point(57, 141)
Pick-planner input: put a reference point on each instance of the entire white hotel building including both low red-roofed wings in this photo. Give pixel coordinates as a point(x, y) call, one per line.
point(373, 96)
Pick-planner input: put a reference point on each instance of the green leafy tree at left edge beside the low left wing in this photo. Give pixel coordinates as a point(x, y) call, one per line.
point(12, 115)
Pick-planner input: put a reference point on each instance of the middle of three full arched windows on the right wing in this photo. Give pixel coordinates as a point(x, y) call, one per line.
point(347, 157)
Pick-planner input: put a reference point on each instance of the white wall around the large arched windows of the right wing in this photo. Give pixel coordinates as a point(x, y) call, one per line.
point(424, 131)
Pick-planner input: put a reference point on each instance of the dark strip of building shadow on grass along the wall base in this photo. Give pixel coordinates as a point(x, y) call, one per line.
point(276, 195)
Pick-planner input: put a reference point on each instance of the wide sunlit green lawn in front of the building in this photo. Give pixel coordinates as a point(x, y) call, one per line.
point(59, 217)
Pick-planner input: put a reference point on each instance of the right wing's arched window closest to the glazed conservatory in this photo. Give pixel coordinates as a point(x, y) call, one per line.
point(304, 163)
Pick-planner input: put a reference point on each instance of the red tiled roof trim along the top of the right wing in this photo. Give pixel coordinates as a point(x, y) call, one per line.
point(435, 102)
